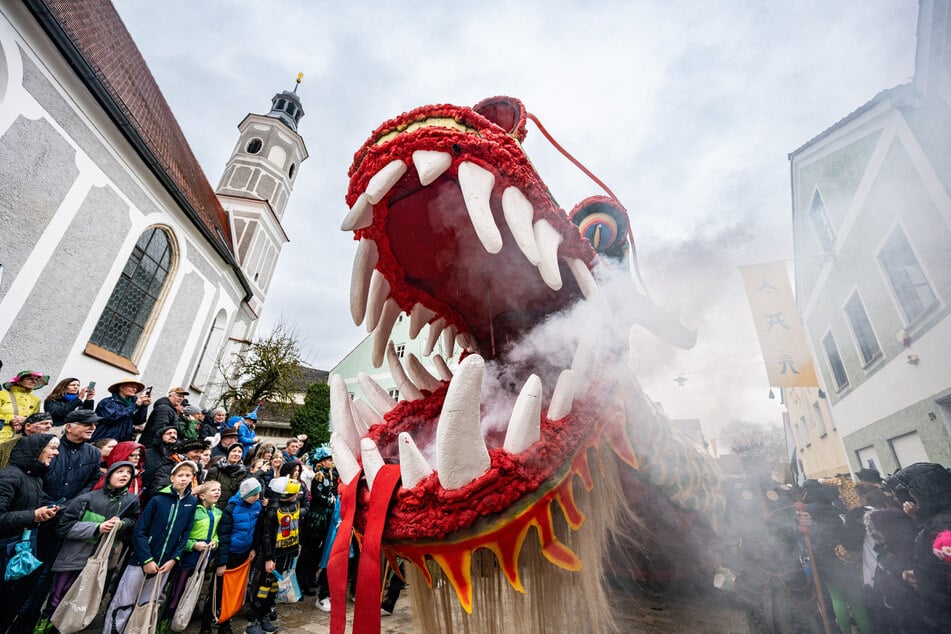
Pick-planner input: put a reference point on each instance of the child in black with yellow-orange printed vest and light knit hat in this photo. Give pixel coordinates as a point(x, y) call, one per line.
point(280, 542)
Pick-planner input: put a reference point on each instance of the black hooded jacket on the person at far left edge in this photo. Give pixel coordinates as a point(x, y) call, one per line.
point(21, 485)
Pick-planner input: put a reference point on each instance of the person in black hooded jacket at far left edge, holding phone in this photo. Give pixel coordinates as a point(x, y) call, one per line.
point(24, 504)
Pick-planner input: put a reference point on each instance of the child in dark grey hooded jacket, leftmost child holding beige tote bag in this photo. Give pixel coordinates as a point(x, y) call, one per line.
point(86, 519)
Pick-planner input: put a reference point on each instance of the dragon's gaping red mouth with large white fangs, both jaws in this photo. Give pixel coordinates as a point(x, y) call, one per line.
point(457, 230)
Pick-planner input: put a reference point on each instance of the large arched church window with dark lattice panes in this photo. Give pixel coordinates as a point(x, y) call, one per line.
point(135, 298)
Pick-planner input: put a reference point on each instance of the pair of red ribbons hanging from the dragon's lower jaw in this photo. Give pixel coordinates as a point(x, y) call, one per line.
point(366, 615)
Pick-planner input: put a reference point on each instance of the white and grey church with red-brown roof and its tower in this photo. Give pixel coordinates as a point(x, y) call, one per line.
point(119, 259)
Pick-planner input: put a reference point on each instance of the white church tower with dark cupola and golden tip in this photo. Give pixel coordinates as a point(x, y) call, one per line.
point(256, 184)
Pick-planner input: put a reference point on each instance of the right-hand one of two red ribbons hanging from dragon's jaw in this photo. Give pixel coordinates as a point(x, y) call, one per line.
point(366, 614)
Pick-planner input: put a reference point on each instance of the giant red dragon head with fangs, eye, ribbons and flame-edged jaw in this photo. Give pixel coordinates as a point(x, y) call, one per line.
point(457, 231)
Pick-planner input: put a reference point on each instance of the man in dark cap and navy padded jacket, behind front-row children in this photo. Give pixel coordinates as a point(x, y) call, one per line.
point(76, 469)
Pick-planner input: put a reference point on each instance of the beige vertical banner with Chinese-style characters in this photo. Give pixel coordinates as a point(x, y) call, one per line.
point(781, 336)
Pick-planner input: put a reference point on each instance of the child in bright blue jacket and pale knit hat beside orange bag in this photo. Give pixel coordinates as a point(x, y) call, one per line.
point(236, 535)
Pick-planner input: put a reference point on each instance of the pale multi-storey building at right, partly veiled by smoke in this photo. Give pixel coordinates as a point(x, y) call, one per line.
point(871, 227)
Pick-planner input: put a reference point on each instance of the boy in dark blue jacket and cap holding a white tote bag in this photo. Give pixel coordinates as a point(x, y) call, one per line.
point(158, 542)
